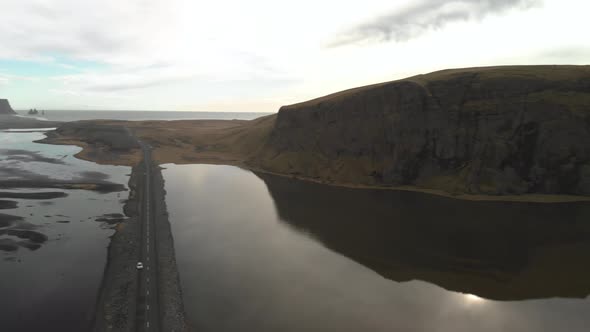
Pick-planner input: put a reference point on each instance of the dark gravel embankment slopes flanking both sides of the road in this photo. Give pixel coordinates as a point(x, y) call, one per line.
point(117, 305)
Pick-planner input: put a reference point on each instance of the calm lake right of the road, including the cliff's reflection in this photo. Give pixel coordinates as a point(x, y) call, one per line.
point(263, 253)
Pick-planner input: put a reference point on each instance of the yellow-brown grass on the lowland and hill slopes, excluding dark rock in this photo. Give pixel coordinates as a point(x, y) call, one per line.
point(249, 143)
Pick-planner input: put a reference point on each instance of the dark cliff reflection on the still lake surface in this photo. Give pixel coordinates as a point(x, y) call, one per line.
point(495, 250)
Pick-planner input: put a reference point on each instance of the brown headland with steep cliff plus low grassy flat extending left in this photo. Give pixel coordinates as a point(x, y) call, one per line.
point(475, 133)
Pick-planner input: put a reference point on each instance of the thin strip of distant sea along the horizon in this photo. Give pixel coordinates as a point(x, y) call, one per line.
point(145, 115)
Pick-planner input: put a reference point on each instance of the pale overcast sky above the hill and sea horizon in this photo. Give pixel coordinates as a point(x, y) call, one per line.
point(257, 55)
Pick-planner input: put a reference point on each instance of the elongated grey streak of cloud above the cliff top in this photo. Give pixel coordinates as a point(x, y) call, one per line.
point(421, 16)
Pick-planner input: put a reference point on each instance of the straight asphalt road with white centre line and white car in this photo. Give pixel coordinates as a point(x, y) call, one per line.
point(148, 310)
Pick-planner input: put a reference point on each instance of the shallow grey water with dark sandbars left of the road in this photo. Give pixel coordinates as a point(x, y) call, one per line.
point(53, 286)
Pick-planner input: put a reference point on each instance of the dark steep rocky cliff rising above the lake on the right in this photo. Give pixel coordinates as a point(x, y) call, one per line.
point(496, 130)
